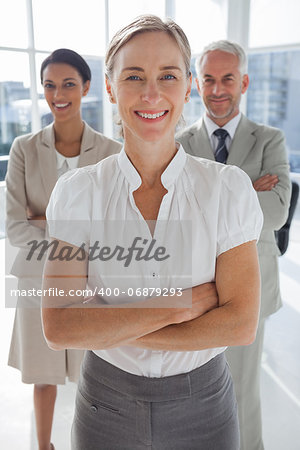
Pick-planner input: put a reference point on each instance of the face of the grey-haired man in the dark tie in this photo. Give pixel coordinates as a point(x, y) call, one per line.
point(221, 85)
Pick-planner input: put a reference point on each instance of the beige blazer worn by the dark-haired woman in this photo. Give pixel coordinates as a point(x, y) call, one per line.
point(31, 177)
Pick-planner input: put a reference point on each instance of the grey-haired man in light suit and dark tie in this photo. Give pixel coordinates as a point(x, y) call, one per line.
point(226, 135)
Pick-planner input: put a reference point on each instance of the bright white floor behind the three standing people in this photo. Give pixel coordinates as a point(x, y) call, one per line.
point(280, 374)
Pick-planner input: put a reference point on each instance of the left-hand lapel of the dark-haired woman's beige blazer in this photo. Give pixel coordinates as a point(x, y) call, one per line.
point(47, 159)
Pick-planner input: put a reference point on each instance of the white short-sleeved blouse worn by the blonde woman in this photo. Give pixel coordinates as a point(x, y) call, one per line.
point(209, 208)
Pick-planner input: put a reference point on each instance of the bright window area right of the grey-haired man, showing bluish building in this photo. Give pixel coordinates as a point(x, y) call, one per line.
point(274, 69)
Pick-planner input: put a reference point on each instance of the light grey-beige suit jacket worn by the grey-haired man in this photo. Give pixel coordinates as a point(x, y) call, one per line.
point(258, 150)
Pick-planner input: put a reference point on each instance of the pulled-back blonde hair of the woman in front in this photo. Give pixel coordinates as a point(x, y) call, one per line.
point(143, 24)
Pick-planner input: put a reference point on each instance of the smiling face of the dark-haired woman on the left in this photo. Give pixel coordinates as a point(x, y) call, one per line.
point(63, 89)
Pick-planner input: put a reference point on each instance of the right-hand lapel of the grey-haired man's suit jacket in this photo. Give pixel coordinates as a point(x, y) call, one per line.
point(243, 142)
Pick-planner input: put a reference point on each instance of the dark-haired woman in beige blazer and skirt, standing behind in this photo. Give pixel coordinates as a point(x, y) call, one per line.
point(36, 162)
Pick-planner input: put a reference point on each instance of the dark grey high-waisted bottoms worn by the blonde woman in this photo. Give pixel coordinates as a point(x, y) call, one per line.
point(116, 410)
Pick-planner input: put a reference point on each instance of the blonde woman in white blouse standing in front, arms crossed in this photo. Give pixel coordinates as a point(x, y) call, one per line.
point(156, 375)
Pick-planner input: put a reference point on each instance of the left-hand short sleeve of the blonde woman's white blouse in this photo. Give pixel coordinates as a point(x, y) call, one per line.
point(69, 209)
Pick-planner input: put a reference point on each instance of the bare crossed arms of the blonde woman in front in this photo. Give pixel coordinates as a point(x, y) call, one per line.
point(222, 313)
